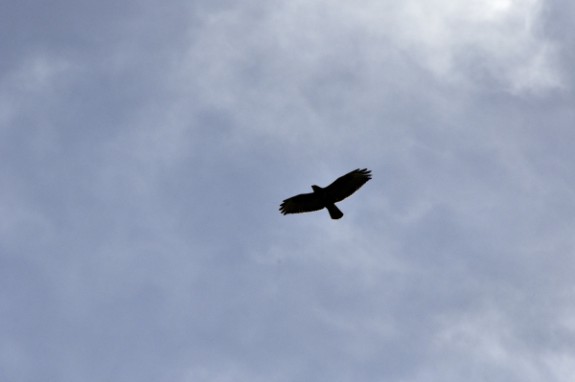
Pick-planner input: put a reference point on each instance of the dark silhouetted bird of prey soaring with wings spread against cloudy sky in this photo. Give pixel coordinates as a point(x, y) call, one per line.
point(326, 197)
